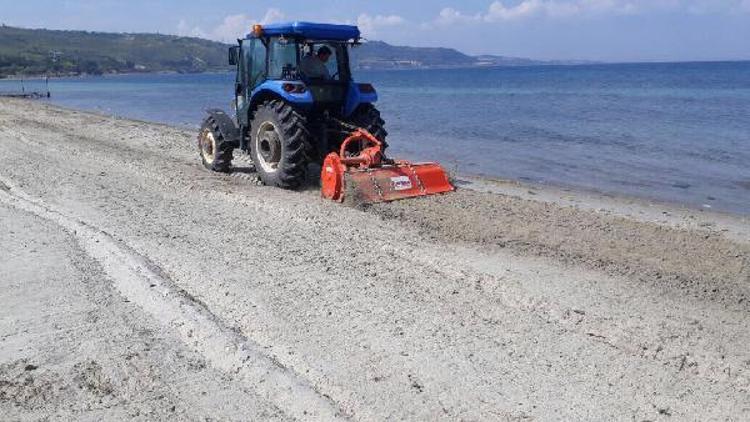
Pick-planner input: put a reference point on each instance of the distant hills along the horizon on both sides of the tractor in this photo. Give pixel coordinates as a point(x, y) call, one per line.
point(42, 51)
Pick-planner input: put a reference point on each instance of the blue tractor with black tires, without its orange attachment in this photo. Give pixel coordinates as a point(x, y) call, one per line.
point(295, 100)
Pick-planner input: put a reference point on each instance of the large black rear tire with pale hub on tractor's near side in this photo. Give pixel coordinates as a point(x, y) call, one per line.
point(279, 140)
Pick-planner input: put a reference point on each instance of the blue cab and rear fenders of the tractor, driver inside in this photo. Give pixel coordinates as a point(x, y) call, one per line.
point(284, 60)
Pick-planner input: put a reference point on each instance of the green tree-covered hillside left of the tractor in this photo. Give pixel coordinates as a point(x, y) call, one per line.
point(40, 51)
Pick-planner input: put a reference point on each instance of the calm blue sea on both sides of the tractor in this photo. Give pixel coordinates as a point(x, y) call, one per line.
point(674, 132)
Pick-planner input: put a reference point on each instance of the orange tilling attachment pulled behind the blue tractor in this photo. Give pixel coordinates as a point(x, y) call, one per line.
point(368, 176)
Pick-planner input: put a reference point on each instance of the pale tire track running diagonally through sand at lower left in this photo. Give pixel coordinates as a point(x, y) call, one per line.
point(141, 283)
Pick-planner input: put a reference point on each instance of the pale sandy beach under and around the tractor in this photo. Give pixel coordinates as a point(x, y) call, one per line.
point(134, 284)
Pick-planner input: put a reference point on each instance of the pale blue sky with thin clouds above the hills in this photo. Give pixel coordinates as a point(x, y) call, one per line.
point(603, 30)
